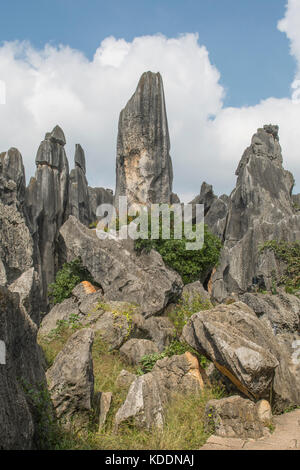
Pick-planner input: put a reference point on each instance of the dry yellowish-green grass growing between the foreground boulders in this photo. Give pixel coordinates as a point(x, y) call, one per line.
point(184, 417)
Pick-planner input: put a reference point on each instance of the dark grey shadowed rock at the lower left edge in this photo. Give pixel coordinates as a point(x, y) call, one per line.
point(21, 378)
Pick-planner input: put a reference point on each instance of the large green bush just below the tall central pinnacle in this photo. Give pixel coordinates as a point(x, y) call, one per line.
point(192, 265)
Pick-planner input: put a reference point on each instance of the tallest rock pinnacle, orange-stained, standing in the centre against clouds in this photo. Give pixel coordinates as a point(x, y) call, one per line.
point(144, 167)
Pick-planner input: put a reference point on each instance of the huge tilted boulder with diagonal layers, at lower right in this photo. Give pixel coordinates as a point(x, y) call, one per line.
point(245, 350)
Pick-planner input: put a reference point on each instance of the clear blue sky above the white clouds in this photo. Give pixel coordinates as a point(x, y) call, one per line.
point(240, 35)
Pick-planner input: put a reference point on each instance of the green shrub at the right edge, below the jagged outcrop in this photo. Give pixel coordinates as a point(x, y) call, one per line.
point(289, 253)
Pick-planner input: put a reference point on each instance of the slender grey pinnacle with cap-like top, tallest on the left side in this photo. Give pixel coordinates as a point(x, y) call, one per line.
point(46, 200)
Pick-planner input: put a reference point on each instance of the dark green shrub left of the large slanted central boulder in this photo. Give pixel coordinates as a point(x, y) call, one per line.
point(66, 279)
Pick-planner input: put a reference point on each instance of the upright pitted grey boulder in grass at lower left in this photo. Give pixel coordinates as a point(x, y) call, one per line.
point(71, 380)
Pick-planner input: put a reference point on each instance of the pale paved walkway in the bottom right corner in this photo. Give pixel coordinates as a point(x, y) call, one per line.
point(285, 437)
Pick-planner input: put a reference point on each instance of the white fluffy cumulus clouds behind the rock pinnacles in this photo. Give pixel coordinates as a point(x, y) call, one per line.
point(61, 86)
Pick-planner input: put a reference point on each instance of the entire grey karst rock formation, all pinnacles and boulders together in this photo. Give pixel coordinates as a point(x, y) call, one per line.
point(247, 334)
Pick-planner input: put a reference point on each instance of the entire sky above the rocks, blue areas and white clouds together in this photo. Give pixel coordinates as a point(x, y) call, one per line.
point(227, 67)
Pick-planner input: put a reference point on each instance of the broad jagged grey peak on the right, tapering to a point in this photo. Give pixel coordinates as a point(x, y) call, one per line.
point(260, 209)
